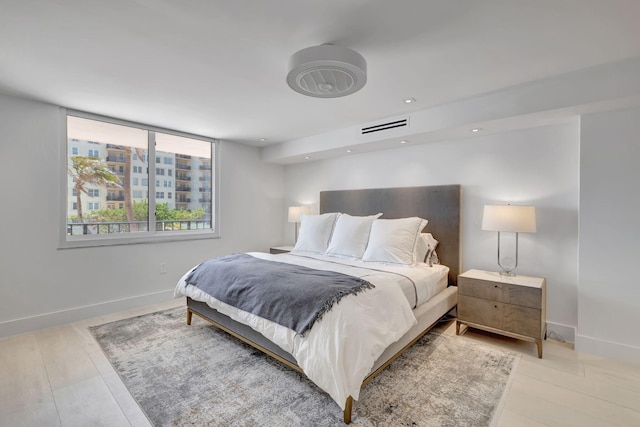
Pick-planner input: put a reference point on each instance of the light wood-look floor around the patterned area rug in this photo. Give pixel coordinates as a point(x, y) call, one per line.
point(59, 377)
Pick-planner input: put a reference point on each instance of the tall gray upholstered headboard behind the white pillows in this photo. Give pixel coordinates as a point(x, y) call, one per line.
point(438, 204)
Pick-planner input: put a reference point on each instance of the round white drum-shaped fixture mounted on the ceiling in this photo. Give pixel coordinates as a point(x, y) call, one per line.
point(327, 71)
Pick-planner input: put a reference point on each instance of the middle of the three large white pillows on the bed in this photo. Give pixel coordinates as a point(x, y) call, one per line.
point(350, 235)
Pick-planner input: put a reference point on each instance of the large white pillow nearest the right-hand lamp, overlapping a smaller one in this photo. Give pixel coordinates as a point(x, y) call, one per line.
point(393, 241)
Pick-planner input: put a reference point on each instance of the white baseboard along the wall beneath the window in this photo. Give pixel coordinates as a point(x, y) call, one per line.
point(33, 323)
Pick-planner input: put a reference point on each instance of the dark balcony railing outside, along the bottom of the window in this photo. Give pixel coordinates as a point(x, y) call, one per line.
point(74, 229)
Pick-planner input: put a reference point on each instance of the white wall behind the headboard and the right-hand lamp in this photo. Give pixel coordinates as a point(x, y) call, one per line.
point(538, 166)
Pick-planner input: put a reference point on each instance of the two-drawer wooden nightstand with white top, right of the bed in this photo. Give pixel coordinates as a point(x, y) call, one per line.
point(513, 306)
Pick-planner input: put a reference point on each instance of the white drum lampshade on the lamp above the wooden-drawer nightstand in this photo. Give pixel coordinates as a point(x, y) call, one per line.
point(517, 219)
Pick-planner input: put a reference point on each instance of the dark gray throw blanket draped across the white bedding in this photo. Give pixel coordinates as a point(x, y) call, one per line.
point(290, 295)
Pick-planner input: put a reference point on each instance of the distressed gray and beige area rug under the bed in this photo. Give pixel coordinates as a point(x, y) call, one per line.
point(197, 375)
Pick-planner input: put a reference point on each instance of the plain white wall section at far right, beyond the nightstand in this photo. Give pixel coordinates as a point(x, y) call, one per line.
point(609, 286)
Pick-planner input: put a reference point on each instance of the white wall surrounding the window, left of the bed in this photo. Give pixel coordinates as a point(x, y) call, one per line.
point(41, 285)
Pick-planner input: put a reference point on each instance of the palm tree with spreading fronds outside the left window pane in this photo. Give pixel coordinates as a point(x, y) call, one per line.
point(89, 171)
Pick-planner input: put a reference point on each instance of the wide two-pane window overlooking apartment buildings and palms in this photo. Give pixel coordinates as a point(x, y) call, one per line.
point(143, 211)
